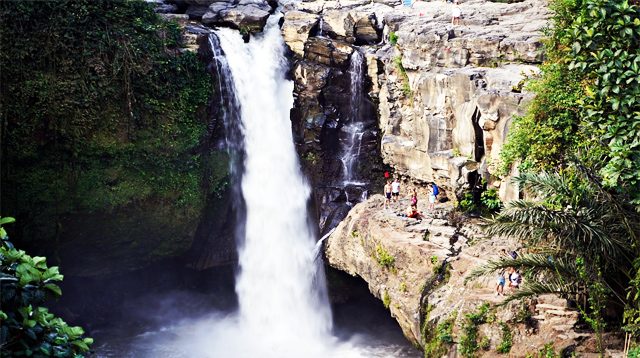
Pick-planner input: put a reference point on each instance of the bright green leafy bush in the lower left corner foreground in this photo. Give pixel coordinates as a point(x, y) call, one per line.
point(27, 329)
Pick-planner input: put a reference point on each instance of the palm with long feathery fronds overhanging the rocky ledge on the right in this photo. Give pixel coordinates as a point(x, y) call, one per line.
point(579, 239)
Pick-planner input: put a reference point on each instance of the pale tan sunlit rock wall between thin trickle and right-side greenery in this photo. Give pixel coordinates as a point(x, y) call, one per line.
point(448, 93)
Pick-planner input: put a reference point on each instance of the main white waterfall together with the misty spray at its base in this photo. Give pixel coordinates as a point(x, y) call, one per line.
point(283, 310)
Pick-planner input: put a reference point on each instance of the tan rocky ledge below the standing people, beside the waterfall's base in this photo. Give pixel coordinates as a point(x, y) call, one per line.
point(402, 261)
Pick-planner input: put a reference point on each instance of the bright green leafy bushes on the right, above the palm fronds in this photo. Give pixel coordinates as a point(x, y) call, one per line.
point(587, 96)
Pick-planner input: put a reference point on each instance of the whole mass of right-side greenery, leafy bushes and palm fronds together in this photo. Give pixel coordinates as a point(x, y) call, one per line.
point(578, 153)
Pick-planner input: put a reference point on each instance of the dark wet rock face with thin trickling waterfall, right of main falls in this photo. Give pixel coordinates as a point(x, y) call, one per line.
point(334, 118)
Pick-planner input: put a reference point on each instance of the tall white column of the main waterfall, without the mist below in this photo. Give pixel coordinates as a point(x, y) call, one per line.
point(275, 286)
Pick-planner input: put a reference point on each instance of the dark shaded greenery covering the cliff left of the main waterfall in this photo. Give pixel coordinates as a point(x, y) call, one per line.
point(100, 111)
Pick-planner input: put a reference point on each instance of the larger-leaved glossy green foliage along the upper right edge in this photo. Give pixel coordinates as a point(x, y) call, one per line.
point(603, 44)
